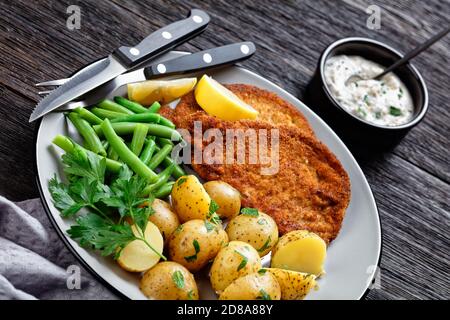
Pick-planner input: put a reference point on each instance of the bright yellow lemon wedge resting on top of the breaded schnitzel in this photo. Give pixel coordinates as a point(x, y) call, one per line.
point(218, 101)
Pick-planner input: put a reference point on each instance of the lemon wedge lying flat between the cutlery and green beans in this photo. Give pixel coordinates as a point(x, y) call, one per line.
point(164, 91)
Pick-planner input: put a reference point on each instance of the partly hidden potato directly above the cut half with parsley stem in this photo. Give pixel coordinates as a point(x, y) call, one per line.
point(164, 218)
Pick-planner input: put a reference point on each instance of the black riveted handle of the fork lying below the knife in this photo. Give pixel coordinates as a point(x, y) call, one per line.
point(201, 60)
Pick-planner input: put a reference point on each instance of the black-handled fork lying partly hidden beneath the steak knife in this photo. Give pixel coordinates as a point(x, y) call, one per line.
point(202, 60)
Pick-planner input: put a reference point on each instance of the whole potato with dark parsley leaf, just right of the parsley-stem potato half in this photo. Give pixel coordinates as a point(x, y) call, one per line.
point(194, 243)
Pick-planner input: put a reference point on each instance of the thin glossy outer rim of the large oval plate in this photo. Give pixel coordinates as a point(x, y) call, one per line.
point(306, 109)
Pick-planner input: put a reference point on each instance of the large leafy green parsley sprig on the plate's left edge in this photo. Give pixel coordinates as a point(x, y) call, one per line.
point(86, 189)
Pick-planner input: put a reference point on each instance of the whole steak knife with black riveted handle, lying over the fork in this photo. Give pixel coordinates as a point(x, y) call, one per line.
point(123, 59)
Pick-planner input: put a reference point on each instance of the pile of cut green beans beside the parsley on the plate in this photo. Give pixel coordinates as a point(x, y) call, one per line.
point(126, 132)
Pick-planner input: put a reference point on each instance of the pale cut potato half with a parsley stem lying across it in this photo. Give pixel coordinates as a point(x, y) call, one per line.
point(137, 256)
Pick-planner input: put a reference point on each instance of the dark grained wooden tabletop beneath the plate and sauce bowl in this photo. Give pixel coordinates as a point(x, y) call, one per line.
point(410, 183)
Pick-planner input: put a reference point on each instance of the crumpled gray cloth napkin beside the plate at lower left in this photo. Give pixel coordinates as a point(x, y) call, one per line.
point(35, 263)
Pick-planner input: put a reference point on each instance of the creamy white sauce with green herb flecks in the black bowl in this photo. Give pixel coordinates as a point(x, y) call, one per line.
point(384, 102)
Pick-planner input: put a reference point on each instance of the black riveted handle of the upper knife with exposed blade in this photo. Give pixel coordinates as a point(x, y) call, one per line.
point(164, 39)
